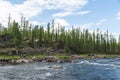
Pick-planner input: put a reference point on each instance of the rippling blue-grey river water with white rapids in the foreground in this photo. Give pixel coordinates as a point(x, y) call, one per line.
point(94, 69)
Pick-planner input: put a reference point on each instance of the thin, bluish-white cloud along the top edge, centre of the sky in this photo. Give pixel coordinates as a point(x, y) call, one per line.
point(65, 5)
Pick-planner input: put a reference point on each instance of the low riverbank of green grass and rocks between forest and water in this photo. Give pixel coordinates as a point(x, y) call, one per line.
point(56, 58)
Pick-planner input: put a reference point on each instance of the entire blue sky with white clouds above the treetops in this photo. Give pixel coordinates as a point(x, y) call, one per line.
point(88, 14)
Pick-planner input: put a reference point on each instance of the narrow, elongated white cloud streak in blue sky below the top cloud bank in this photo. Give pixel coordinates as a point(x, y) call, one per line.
point(63, 14)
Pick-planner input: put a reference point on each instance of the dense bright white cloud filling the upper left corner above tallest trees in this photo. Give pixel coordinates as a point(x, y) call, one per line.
point(16, 10)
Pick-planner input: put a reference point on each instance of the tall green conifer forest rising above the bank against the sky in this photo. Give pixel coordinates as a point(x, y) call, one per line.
point(73, 40)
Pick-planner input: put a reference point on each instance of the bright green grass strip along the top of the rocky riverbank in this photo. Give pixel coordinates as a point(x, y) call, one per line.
point(61, 56)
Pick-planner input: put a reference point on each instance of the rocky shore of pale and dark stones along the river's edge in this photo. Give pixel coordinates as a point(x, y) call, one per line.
point(48, 59)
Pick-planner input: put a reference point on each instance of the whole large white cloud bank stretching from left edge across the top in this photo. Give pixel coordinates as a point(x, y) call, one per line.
point(32, 8)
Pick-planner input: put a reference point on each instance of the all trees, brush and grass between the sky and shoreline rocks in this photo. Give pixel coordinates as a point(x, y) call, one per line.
point(39, 42)
